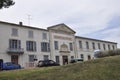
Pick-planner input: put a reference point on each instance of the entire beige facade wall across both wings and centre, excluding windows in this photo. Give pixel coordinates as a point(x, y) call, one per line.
point(5, 35)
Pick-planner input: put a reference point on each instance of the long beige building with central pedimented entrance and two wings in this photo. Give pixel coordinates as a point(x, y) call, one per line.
point(24, 44)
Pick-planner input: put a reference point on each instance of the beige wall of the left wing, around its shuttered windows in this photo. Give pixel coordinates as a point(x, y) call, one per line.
point(5, 34)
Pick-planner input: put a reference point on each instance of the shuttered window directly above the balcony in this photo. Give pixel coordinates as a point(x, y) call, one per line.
point(14, 44)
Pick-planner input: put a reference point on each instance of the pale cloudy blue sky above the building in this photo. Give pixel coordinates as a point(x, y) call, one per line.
point(99, 19)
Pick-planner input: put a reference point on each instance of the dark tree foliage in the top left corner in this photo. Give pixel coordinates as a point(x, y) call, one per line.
point(6, 3)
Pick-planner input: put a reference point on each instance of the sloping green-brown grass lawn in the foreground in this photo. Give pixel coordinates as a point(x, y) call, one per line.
point(99, 69)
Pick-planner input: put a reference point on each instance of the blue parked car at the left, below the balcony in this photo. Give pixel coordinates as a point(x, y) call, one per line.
point(10, 66)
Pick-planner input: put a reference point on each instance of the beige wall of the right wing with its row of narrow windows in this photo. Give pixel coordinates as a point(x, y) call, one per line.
point(90, 51)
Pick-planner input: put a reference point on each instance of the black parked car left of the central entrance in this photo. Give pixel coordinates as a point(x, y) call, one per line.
point(45, 63)
